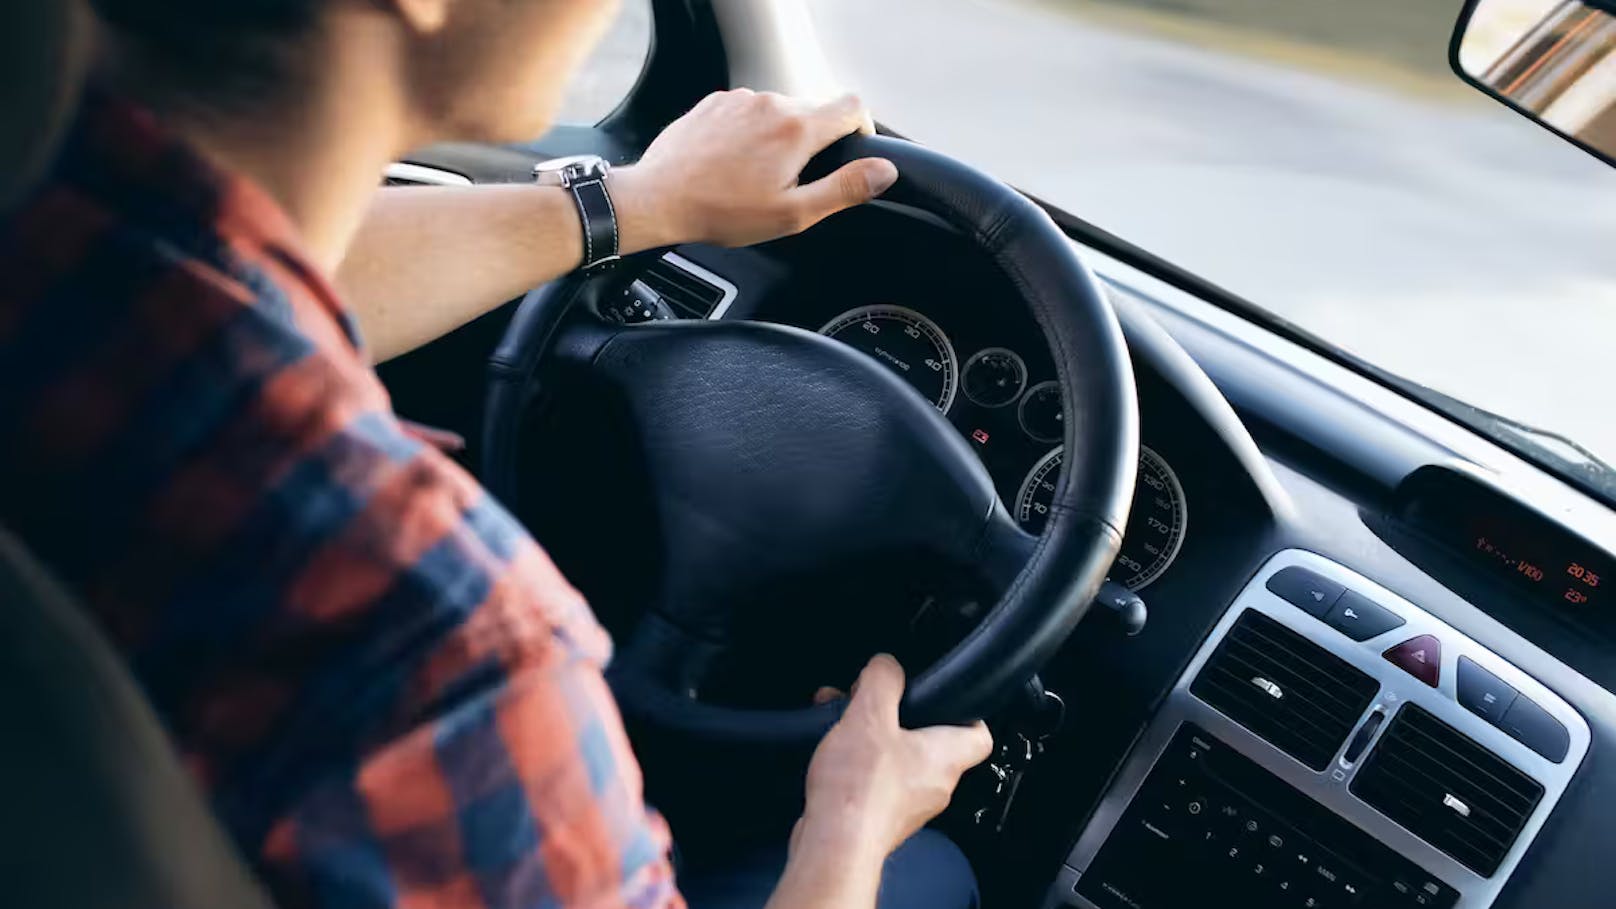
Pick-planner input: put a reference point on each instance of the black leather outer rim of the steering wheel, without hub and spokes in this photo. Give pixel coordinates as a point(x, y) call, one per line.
point(1092, 501)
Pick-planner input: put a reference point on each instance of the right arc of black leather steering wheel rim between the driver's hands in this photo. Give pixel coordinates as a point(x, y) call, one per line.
point(1101, 431)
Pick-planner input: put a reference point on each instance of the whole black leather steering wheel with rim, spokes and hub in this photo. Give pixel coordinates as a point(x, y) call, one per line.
point(773, 452)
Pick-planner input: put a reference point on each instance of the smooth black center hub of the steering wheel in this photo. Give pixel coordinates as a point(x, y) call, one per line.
point(773, 452)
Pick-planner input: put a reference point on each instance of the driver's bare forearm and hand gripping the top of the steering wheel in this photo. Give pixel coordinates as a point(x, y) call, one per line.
point(434, 258)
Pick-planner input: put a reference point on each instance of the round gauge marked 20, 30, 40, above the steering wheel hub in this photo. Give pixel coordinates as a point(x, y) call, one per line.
point(909, 345)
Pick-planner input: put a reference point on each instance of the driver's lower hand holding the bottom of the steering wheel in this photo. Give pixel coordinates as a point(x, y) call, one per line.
point(873, 784)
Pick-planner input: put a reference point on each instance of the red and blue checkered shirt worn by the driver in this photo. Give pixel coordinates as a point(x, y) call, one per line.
point(387, 690)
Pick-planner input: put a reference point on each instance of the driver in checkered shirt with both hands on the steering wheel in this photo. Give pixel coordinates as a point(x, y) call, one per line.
point(385, 687)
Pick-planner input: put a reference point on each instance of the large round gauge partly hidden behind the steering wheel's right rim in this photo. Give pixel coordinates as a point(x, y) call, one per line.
point(1156, 523)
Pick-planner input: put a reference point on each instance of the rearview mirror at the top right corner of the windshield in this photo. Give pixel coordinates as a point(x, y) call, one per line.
point(1551, 61)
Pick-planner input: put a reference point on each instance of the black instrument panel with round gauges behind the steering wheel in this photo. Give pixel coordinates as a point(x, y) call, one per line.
point(940, 319)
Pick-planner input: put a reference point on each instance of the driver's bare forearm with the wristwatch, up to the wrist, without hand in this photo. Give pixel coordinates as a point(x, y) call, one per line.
point(429, 260)
